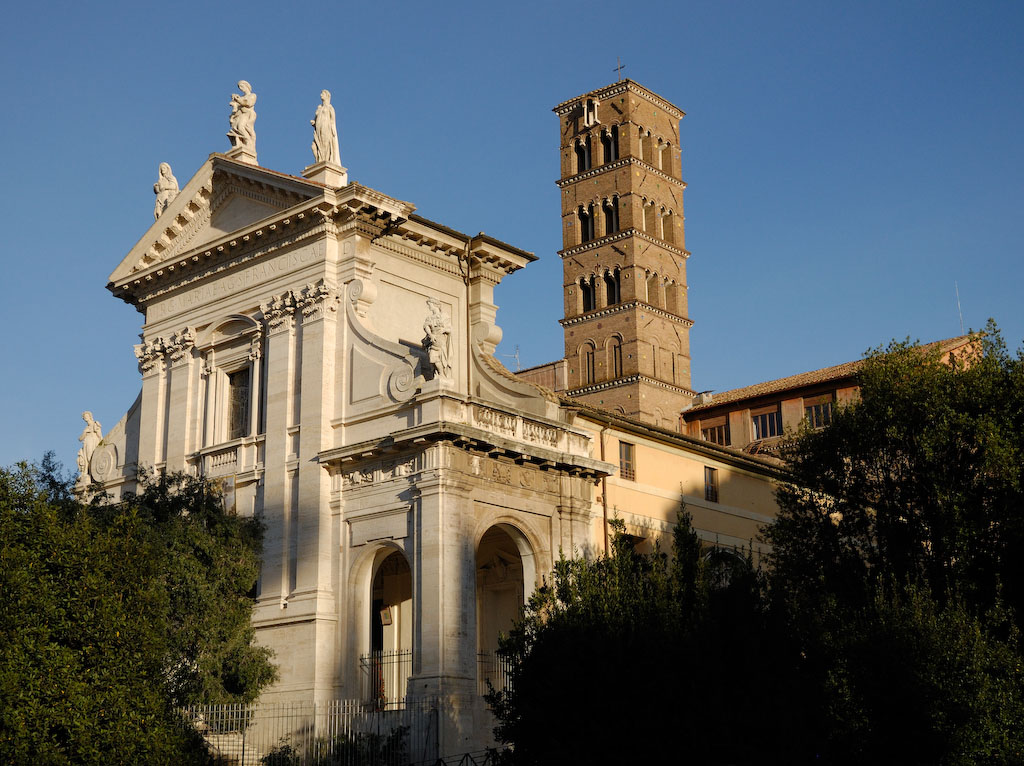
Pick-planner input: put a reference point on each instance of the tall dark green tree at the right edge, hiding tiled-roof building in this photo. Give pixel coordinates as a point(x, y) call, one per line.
point(897, 565)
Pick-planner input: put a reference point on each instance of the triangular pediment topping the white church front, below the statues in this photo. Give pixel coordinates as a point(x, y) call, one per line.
point(223, 197)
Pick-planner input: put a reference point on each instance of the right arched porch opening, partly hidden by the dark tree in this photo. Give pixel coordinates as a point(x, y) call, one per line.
point(504, 566)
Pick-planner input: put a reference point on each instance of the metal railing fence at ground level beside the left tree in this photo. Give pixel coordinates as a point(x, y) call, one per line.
point(340, 733)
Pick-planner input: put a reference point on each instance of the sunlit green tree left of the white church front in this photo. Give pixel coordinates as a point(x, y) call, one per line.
point(116, 614)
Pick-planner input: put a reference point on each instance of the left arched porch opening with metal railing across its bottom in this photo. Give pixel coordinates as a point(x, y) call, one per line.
point(388, 667)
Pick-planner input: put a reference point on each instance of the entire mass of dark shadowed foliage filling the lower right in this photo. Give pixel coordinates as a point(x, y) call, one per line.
point(885, 629)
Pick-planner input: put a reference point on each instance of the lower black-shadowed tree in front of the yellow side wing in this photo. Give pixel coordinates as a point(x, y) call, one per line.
point(647, 657)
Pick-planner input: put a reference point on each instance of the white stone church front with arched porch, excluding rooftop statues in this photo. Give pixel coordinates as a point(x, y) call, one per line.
point(410, 504)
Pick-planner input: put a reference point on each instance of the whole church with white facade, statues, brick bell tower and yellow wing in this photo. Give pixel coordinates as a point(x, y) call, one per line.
point(327, 356)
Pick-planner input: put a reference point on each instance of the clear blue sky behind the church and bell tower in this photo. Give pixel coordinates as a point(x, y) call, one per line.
point(847, 163)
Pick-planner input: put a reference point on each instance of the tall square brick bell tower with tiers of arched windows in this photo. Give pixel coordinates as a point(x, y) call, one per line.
point(624, 253)
